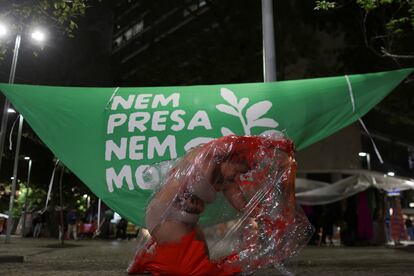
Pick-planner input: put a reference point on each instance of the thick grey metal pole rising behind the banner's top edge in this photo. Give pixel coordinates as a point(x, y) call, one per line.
point(269, 53)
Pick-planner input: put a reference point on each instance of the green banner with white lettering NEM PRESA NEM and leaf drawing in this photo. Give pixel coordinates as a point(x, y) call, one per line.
point(109, 136)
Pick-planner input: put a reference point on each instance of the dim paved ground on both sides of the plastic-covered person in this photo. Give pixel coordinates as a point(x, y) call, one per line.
point(96, 257)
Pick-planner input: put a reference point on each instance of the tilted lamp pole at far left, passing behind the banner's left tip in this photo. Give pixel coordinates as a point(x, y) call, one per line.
point(4, 119)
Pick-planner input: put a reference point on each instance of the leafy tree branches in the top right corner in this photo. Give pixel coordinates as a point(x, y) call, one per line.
point(387, 25)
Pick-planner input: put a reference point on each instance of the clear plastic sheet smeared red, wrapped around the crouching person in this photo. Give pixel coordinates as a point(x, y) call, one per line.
point(248, 184)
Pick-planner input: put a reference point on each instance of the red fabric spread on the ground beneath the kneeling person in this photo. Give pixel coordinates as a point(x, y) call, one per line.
point(186, 257)
